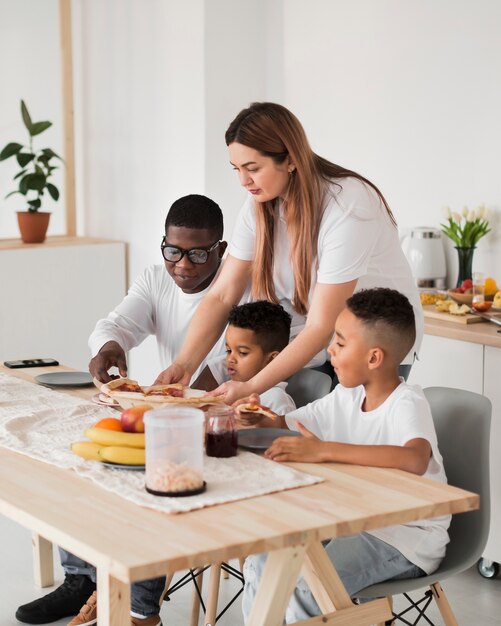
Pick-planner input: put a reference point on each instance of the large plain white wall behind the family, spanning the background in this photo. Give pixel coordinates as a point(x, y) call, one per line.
point(407, 93)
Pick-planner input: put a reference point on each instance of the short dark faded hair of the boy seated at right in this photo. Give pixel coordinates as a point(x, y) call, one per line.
point(389, 314)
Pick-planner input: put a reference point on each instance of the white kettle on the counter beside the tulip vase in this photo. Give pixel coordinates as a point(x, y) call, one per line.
point(424, 251)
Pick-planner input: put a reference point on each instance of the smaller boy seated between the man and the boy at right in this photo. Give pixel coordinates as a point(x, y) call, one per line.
point(256, 333)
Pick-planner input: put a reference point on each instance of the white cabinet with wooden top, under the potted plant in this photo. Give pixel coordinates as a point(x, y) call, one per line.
point(52, 295)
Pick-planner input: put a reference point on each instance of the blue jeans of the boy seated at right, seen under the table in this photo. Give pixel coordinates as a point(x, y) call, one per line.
point(360, 560)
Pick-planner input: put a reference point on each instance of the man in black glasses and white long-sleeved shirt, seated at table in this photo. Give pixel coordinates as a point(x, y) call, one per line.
point(160, 302)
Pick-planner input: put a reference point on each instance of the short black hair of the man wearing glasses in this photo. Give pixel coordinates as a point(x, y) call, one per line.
point(195, 211)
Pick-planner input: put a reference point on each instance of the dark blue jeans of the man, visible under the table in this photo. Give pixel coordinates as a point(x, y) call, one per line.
point(145, 596)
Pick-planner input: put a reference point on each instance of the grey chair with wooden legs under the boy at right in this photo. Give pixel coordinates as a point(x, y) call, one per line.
point(462, 421)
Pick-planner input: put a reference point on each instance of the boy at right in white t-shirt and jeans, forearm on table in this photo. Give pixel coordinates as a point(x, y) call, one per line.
point(371, 418)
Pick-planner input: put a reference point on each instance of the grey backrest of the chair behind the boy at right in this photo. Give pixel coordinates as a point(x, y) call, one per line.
point(462, 421)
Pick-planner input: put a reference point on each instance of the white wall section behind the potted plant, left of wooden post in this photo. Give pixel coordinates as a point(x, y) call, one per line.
point(30, 69)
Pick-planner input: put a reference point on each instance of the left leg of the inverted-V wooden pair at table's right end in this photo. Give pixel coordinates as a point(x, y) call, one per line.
point(275, 588)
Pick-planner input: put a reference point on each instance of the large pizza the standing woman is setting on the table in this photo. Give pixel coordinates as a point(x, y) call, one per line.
point(173, 393)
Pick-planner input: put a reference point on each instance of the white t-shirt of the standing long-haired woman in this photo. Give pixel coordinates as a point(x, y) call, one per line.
point(356, 241)
